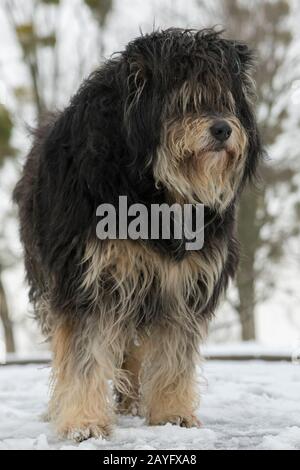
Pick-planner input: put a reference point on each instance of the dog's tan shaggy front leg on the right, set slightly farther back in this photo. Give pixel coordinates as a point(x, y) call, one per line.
point(169, 385)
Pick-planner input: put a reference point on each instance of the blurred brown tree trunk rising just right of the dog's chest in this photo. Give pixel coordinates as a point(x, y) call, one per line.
point(249, 237)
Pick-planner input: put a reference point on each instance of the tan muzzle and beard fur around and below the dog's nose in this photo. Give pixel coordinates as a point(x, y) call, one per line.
point(195, 168)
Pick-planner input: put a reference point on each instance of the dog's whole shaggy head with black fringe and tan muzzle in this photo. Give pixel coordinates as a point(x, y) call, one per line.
point(189, 106)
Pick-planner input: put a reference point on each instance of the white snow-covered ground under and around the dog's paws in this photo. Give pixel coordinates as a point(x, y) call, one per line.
point(245, 405)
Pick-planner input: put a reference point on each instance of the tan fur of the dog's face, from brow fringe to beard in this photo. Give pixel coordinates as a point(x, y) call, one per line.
point(187, 163)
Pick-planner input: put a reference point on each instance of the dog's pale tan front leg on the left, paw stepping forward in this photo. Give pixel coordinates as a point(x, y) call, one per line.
point(81, 404)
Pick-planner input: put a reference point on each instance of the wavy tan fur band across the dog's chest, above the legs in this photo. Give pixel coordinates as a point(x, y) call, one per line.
point(133, 267)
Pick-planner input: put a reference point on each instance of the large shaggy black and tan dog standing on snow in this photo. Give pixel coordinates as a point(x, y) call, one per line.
point(169, 119)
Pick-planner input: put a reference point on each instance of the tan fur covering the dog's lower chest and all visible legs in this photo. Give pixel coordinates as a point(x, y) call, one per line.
point(155, 377)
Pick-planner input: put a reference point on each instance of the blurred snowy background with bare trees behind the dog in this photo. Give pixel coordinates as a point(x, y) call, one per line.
point(48, 46)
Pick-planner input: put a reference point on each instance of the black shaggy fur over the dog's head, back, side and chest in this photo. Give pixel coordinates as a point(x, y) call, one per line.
point(101, 146)
